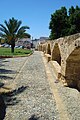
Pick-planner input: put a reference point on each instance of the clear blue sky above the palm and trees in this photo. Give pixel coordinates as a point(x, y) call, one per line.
point(34, 13)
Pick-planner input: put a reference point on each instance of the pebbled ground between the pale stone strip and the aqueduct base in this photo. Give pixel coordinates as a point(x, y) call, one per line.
point(70, 98)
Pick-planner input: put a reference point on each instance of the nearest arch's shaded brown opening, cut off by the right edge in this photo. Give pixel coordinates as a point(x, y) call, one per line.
point(72, 73)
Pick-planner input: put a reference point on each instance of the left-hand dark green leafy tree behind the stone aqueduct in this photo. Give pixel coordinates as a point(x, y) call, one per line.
point(58, 23)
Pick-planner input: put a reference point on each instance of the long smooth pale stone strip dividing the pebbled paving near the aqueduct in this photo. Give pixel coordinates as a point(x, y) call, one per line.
point(63, 115)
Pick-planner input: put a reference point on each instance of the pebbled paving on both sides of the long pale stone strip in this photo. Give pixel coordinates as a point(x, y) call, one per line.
point(33, 98)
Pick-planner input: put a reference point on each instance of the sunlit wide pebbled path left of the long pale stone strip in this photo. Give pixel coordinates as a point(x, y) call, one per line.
point(35, 102)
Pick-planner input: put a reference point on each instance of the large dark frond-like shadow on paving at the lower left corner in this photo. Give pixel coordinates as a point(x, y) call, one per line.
point(7, 99)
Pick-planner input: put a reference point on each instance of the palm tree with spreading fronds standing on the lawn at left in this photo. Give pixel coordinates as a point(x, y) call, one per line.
point(12, 31)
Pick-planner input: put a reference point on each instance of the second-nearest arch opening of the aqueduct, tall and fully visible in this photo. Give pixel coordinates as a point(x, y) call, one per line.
point(56, 55)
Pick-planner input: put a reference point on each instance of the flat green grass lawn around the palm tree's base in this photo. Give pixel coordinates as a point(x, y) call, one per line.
point(17, 52)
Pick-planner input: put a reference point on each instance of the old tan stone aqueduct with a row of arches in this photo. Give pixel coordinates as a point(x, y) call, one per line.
point(64, 55)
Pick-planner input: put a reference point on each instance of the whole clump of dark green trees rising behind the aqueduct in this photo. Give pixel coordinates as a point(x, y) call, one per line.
point(63, 24)
